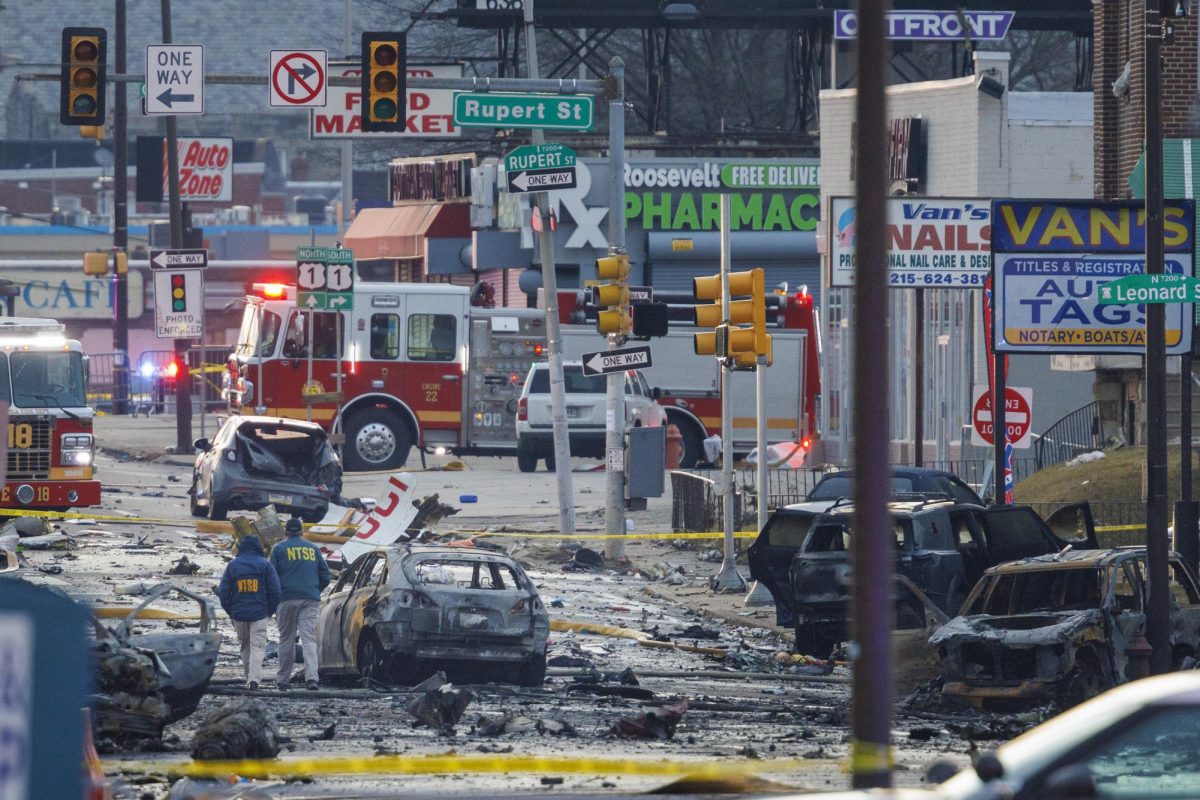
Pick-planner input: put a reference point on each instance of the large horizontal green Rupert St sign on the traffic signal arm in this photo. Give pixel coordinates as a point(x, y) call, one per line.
point(501, 111)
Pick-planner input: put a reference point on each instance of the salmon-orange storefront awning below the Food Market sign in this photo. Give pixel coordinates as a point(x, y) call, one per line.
point(400, 232)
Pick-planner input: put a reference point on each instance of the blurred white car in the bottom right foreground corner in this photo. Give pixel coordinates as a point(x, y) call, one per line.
point(1139, 741)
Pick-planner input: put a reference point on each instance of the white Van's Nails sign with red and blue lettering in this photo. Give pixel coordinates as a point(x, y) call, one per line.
point(933, 243)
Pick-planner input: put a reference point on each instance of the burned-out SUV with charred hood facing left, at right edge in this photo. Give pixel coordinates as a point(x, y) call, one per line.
point(1060, 628)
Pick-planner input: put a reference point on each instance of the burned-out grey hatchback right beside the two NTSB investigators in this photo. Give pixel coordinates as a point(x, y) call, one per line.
point(398, 613)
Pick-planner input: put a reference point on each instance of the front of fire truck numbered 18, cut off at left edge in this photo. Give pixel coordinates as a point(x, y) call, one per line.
point(51, 448)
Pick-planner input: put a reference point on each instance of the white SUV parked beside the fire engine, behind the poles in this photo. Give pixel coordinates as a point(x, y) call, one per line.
point(587, 404)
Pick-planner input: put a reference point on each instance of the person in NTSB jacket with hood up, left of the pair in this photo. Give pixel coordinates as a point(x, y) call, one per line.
point(250, 594)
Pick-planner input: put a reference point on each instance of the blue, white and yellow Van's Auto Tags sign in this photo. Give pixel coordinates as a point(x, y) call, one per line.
point(1054, 260)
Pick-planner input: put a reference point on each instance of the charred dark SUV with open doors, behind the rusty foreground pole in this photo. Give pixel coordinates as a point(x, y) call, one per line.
point(943, 550)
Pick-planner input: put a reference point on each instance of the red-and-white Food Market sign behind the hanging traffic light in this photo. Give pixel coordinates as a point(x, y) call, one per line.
point(430, 111)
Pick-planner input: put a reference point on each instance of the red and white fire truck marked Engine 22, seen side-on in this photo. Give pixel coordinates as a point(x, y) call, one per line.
point(427, 365)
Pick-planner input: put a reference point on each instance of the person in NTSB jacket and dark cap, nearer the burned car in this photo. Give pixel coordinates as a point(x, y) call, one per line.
point(303, 575)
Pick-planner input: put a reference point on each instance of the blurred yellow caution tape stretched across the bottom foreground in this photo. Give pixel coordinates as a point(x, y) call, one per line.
point(483, 766)
